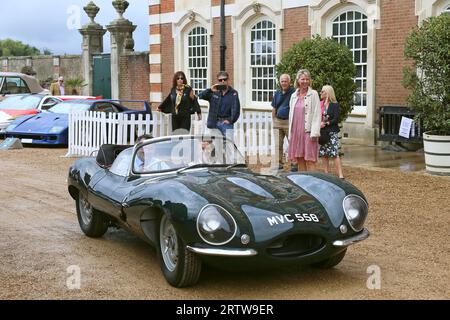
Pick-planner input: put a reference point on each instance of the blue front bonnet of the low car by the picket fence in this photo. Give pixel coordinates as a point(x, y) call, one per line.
point(41, 123)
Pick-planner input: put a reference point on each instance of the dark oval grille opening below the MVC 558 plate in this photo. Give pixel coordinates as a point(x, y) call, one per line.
point(295, 245)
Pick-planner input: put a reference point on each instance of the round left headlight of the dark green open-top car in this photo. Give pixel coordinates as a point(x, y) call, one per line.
point(215, 225)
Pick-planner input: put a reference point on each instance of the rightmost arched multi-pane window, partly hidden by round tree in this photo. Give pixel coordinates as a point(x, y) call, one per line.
point(350, 28)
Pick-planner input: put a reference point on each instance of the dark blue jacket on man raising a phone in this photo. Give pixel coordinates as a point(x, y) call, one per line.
point(214, 99)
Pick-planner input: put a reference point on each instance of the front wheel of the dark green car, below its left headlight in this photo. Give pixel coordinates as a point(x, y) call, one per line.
point(180, 267)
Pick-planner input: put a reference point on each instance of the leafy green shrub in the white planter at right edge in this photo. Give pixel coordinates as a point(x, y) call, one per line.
point(429, 76)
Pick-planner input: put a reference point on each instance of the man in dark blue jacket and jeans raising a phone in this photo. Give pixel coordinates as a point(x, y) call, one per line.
point(224, 105)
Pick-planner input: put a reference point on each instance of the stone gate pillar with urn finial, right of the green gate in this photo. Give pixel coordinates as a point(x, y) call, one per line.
point(122, 41)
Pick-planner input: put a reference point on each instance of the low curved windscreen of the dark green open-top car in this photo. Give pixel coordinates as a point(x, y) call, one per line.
point(179, 153)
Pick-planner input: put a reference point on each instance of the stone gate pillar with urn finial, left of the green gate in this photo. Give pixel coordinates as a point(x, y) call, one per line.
point(92, 44)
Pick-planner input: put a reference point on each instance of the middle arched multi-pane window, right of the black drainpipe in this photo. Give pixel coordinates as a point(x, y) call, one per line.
point(262, 61)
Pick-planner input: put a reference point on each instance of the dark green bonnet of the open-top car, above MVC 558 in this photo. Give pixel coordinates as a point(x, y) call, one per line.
point(259, 195)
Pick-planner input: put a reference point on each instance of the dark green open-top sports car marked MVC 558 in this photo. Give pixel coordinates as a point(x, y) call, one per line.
point(195, 200)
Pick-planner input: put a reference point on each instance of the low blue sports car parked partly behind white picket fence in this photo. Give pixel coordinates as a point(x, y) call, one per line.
point(51, 127)
